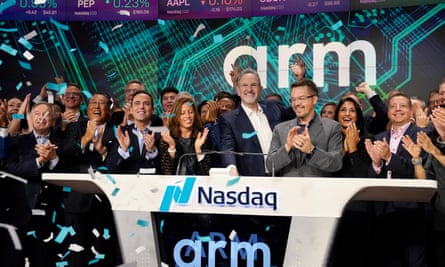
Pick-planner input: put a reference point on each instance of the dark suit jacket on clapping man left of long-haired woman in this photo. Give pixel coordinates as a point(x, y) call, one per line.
point(117, 164)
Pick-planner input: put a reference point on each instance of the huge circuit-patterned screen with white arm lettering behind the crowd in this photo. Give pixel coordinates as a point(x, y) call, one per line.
point(395, 48)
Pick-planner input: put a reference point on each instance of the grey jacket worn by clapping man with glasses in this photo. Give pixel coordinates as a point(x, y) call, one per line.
point(326, 159)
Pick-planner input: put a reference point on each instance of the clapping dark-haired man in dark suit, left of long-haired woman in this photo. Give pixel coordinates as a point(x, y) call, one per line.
point(137, 143)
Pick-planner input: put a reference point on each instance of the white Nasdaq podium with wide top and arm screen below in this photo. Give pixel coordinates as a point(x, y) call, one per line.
point(241, 221)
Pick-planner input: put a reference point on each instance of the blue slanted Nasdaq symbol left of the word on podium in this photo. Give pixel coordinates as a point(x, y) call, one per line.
point(176, 194)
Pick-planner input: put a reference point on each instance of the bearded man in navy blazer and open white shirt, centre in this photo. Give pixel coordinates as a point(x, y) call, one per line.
point(248, 128)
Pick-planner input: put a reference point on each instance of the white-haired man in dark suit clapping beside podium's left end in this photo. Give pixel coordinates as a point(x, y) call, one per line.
point(31, 155)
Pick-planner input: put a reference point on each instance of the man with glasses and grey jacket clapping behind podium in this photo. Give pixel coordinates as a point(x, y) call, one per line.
point(307, 145)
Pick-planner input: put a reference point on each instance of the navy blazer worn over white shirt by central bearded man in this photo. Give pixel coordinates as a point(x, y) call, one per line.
point(233, 125)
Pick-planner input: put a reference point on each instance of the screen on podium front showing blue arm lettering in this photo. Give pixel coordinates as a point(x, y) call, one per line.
point(220, 240)
